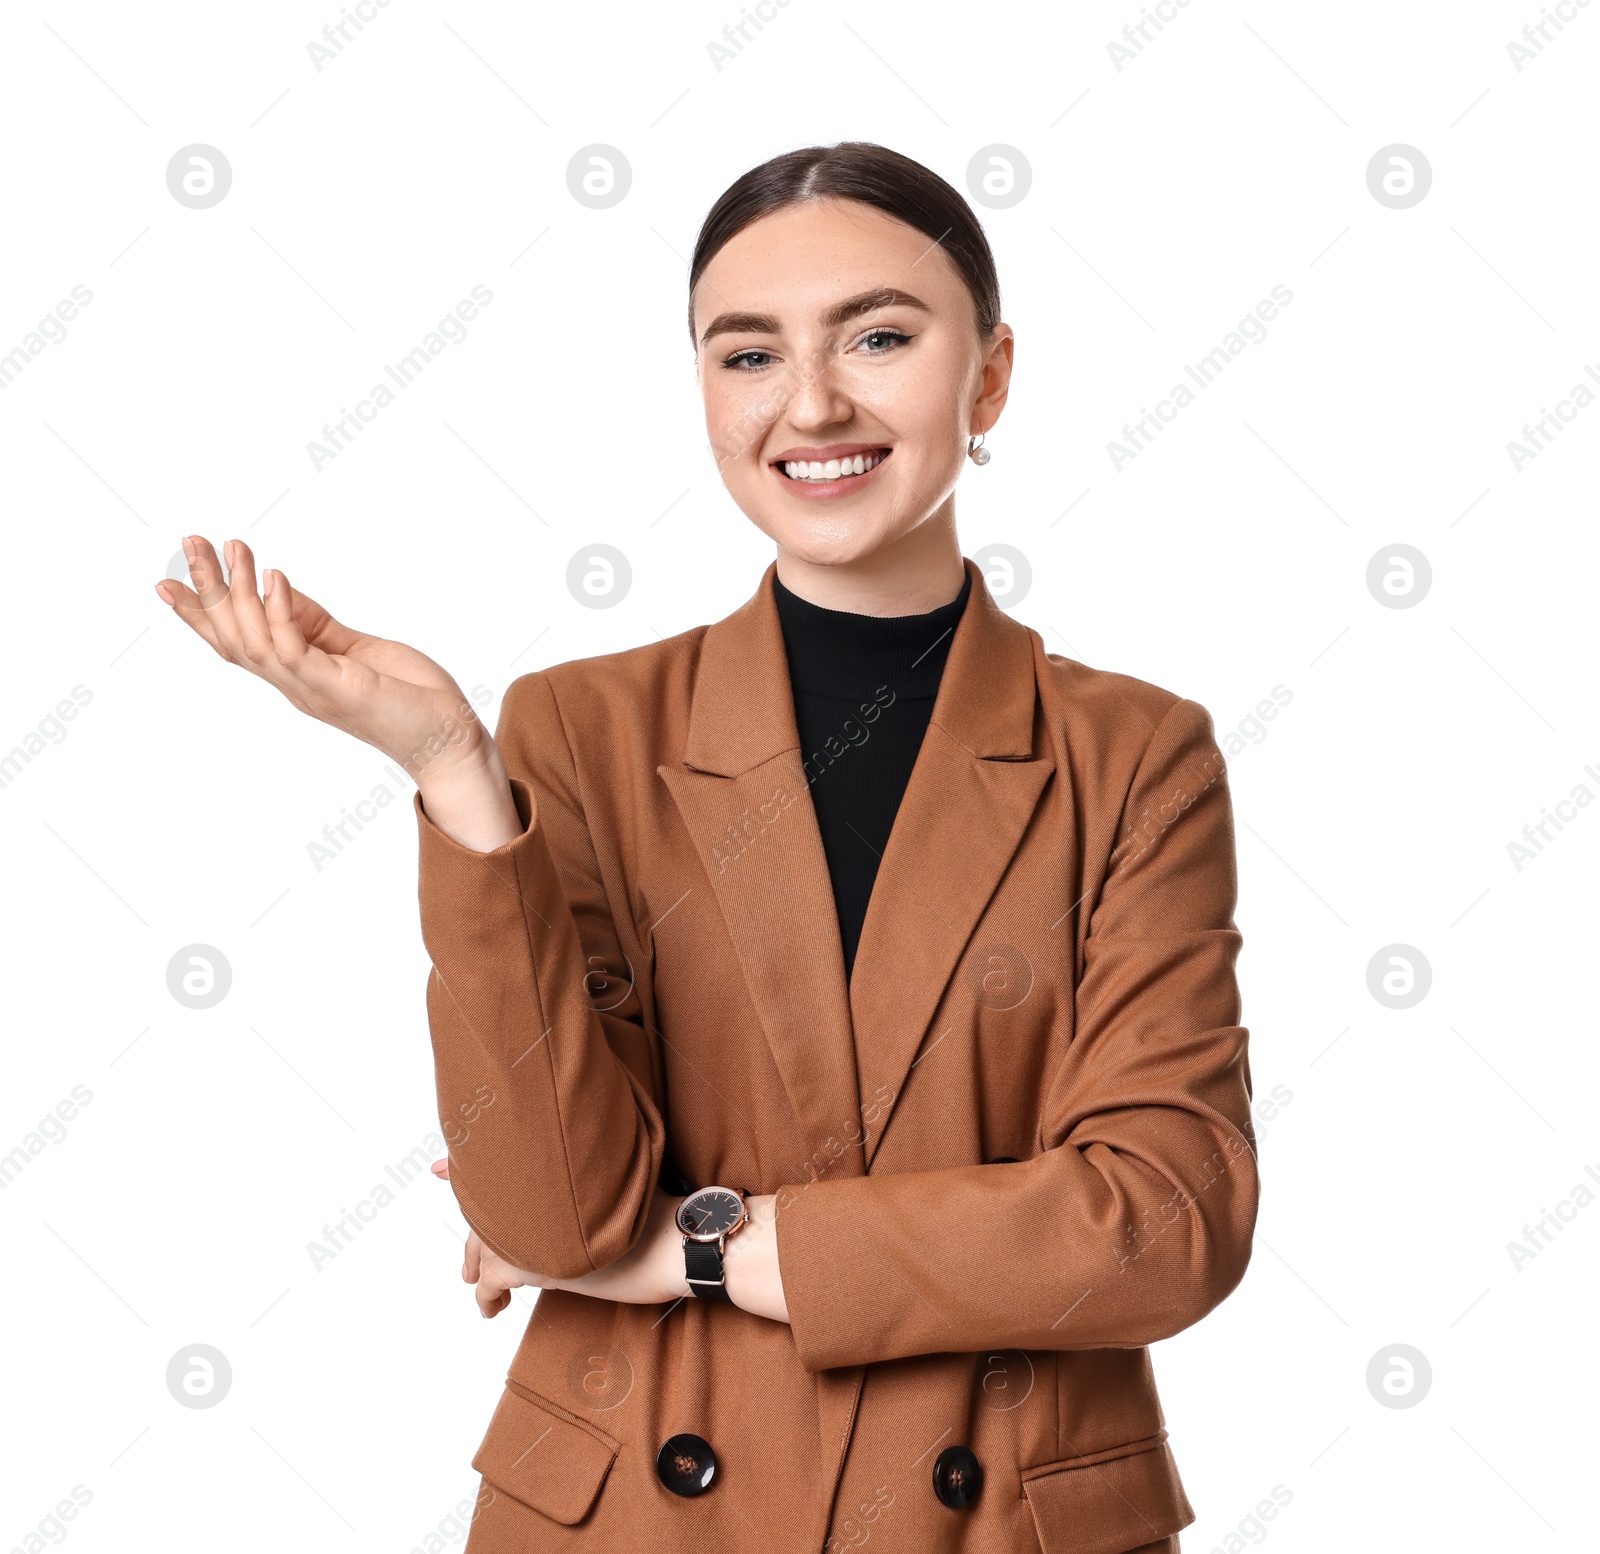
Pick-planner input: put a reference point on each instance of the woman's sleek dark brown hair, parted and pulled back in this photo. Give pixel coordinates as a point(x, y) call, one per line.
point(874, 175)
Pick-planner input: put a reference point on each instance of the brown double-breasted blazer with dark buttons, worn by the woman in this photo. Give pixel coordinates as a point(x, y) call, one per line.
point(652, 972)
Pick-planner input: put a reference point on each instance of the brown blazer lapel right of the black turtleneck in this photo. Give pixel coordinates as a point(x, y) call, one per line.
point(972, 793)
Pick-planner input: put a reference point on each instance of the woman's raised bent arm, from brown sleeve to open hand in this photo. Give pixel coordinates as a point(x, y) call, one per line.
point(546, 1102)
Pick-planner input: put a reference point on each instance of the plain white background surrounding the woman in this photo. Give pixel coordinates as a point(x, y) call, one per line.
point(1231, 558)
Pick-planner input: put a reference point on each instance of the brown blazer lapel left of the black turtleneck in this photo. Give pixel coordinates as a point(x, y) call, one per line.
point(745, 799)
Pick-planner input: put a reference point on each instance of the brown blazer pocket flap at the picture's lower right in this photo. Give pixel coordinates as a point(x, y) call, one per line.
point(1108, 1507)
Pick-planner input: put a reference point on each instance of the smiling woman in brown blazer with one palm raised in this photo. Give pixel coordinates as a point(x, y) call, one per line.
point(852, 1224)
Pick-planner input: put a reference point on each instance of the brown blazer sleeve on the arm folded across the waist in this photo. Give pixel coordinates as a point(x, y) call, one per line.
point(1137, 1217)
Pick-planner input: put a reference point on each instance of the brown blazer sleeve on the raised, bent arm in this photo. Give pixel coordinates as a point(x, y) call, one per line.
point(545, 1089)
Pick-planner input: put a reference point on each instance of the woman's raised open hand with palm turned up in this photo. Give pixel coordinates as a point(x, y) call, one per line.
point(380, 691)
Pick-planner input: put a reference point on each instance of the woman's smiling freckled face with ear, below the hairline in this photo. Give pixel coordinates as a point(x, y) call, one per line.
point(831, 337)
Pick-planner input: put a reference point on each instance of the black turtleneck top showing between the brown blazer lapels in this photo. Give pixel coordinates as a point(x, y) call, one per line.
point(863, 689)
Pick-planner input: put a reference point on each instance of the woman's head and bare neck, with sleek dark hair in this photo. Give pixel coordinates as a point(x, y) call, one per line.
point(905, 302)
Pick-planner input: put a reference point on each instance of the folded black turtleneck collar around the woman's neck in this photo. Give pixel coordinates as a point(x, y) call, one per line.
point(842, 654)
